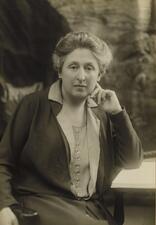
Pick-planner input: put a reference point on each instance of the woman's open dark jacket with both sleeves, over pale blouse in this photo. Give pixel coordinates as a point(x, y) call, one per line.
point(34, 158)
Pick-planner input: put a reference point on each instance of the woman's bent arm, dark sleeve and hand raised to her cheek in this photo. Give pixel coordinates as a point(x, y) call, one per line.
point(127, 146)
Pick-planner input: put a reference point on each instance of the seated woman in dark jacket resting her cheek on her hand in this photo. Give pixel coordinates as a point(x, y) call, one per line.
point(64, 145)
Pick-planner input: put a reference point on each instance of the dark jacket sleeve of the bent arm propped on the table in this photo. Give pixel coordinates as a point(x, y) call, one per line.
point(126, 144)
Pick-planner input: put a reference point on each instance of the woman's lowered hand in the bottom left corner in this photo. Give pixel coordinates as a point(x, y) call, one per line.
point(7, 217)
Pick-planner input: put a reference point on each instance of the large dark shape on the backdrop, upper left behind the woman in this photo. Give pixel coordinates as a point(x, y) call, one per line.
point(29, 31)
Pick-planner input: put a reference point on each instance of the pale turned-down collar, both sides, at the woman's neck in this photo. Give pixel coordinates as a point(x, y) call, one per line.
point(56, 95)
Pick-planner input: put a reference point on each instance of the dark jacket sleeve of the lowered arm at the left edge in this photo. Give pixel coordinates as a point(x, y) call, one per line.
point(11, 145)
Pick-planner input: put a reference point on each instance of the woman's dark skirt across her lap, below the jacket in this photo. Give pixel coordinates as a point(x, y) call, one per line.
point(54, 210)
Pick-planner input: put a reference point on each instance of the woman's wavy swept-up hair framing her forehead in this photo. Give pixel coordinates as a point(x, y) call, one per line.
point(75, 40)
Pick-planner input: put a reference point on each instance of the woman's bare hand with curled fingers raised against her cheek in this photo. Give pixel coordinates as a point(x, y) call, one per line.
point(107, 99)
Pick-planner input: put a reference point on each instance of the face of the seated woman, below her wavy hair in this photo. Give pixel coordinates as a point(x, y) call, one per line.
point(80, 73)
